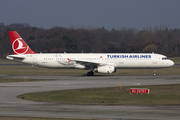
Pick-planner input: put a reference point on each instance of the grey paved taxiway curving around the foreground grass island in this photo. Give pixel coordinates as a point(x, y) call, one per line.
point(10, 105)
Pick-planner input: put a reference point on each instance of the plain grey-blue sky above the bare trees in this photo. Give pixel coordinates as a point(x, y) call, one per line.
point(109, 14)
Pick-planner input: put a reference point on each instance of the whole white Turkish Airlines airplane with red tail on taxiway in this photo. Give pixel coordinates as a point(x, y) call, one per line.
point(94, 62)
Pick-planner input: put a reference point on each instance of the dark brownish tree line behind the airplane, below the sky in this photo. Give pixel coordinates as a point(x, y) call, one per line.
point(93, 40)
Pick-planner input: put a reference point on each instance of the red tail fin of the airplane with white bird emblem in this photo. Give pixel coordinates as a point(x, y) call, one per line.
point(18, 44)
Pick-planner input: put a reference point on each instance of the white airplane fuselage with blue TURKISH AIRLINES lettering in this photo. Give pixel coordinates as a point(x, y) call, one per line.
point(118, 60)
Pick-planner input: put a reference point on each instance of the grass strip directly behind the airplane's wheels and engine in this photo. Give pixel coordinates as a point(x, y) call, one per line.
point(29, 70)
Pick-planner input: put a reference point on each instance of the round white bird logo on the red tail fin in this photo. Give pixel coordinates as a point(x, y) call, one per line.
point(19, 47)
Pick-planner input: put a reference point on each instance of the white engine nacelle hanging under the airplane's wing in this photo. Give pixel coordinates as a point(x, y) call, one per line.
point(105, 69)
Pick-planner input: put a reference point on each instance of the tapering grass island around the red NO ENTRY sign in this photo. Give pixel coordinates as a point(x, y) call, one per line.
point(159, 95)
